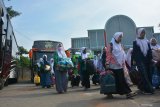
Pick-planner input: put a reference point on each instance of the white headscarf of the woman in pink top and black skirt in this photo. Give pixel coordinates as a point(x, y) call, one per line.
point(118, 51)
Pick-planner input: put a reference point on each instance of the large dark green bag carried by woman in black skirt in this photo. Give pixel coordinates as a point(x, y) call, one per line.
point(107, 84)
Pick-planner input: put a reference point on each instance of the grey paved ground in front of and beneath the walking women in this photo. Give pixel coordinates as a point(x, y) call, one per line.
point(29, 95)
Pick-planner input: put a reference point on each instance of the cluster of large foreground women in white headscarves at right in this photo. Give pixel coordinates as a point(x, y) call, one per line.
point(144, 55)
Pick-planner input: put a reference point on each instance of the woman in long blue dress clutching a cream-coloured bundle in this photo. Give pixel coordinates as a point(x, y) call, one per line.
point(45, 72)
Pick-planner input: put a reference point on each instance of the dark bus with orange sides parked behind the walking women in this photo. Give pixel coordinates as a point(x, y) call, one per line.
point(39, 48)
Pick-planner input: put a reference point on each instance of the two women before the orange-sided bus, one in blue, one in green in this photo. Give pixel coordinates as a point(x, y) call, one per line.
point(51, 69)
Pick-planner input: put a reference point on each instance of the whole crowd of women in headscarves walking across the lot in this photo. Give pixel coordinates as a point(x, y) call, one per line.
point(144, 55)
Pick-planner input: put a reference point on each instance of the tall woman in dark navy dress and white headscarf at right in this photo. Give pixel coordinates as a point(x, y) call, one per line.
point(142, 58)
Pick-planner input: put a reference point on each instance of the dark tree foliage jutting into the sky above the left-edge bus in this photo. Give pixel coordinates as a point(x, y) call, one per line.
point(12, 13)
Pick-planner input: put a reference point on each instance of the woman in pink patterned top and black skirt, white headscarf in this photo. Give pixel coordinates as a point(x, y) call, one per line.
point(115, 61)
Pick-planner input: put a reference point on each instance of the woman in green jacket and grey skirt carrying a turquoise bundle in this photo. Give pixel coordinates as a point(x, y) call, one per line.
point(60, 75)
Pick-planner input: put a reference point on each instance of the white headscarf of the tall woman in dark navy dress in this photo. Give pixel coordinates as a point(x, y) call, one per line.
point(142, 43)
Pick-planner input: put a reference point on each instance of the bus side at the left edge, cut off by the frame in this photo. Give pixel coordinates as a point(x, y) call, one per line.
point(8, 47)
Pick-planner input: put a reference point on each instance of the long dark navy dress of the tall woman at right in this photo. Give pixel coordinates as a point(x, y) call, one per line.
point(144, 66)
